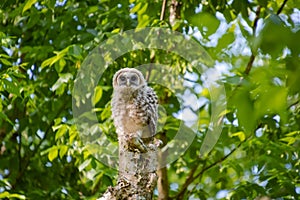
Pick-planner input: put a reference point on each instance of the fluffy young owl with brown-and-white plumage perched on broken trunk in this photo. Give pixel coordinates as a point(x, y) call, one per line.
point(134, 108)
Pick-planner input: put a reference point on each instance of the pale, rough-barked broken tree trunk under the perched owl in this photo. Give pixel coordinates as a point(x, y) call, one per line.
point(137, 173)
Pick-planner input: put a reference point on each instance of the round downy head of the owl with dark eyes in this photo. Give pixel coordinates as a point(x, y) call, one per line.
point(128, 77)
